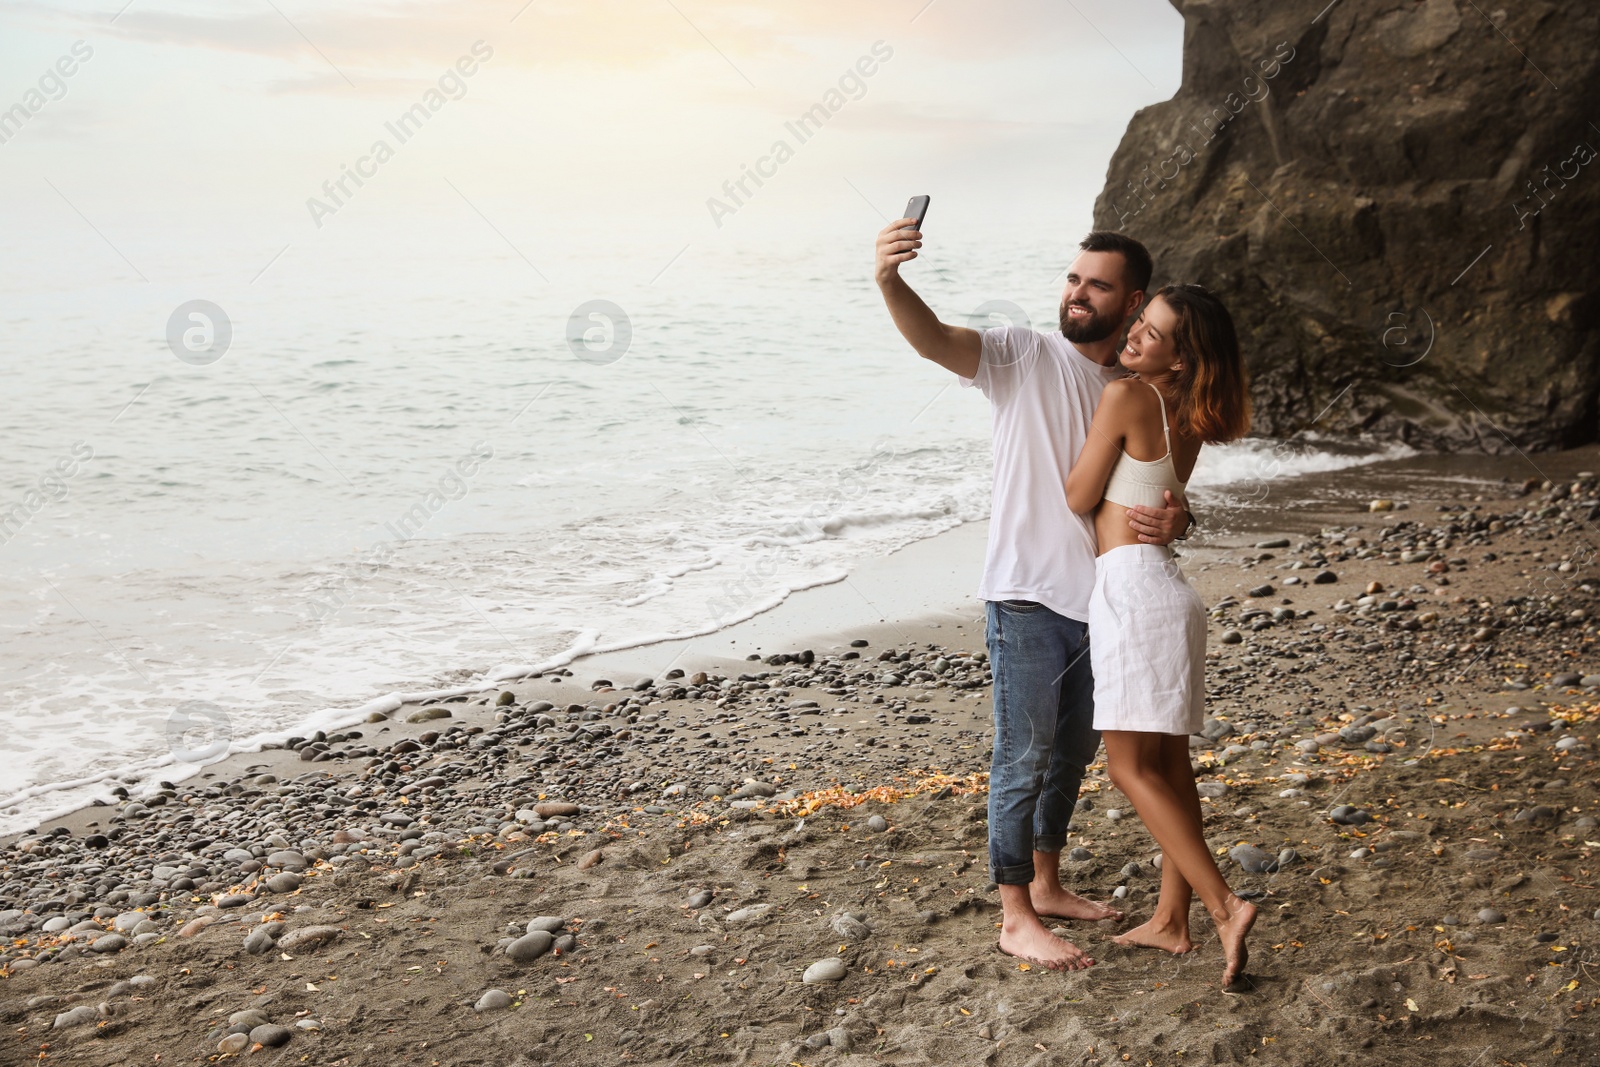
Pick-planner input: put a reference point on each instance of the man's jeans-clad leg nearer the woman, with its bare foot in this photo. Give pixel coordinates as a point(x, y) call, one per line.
point(1073, 749)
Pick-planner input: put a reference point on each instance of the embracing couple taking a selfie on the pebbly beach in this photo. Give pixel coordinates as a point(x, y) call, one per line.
point(1094, 442)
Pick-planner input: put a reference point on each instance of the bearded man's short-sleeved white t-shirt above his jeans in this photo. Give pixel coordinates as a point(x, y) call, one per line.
point(1044, 394)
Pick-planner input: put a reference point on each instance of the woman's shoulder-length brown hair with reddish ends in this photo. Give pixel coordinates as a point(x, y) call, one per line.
point(1214, 393)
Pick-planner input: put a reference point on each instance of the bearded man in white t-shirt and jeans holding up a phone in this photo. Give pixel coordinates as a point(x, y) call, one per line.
point(1039, 569)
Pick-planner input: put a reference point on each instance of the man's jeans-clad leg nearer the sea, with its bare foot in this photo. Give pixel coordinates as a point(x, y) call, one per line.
point(1026, 653)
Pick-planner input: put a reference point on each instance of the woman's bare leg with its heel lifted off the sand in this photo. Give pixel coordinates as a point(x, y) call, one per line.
point(1143, 767)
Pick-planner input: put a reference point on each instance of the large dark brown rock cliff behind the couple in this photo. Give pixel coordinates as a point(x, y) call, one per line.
point(1399, 202)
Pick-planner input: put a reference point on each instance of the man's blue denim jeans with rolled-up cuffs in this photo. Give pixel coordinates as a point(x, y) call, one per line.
point(1046, 733)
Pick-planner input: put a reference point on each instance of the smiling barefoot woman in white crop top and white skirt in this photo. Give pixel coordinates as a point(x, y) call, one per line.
point(1146, 623)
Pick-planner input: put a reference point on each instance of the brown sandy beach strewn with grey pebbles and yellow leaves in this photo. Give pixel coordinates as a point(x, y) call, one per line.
point(769, 847)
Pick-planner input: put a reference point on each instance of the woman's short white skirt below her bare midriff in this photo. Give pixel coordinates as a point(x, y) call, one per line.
point(1146, 644)
